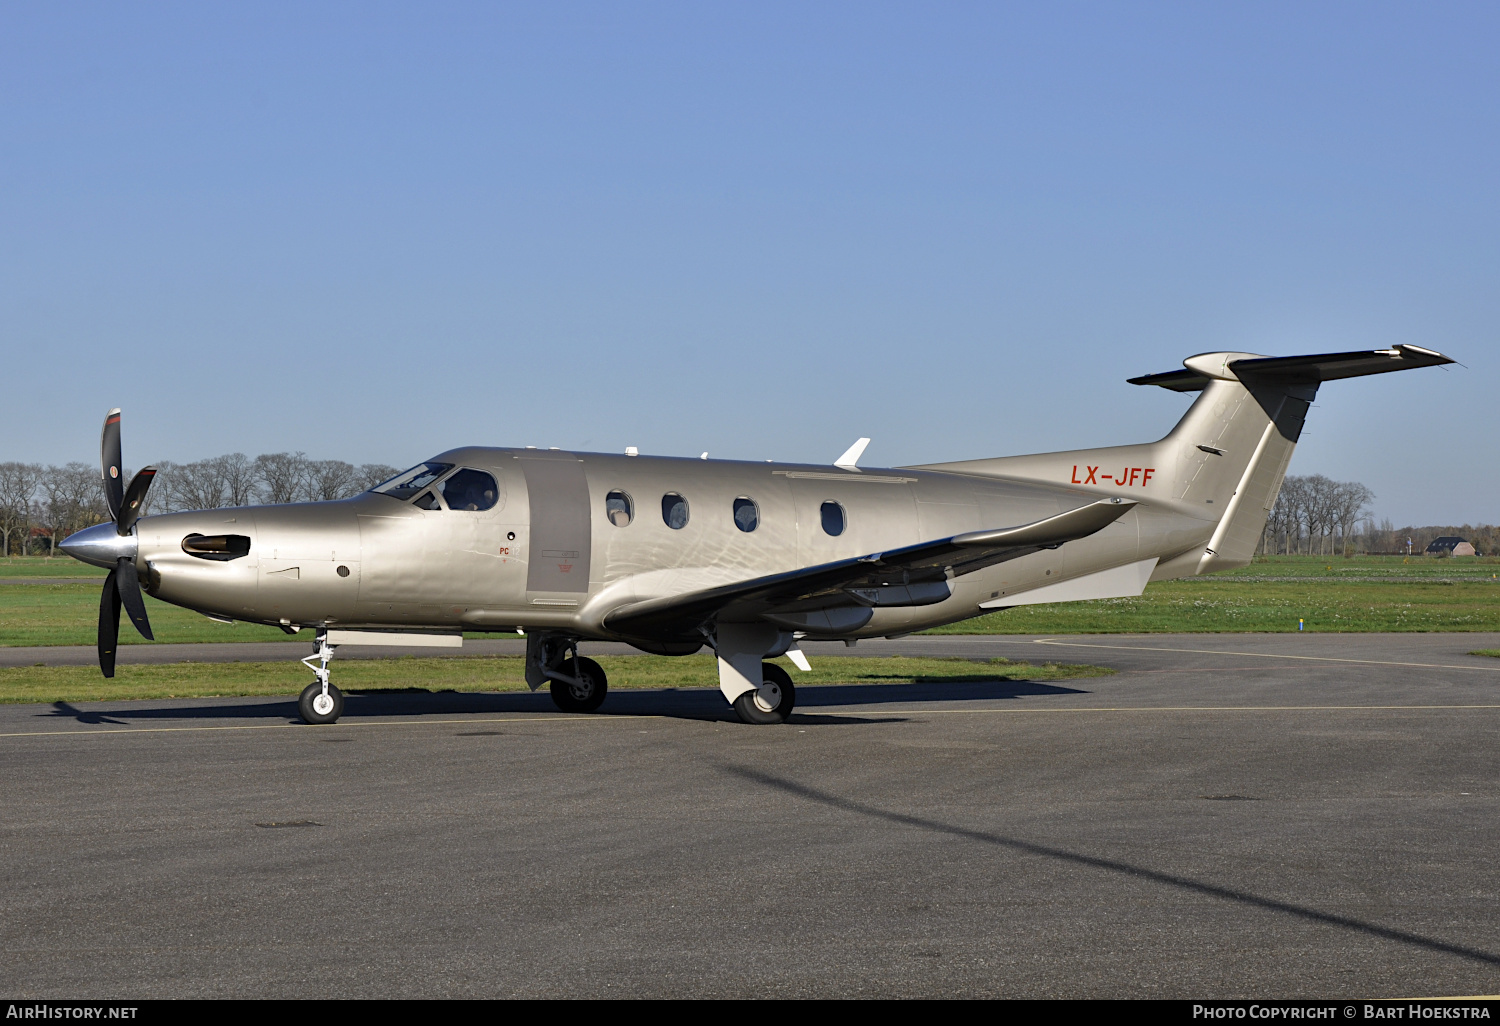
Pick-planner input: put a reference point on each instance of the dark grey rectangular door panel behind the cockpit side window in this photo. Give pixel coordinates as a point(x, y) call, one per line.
point(562, 535)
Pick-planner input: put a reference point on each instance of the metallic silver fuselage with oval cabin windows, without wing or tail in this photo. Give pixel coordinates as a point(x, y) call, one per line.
point(548, 556)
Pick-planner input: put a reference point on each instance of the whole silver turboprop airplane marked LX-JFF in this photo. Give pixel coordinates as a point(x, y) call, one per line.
point(673, 554)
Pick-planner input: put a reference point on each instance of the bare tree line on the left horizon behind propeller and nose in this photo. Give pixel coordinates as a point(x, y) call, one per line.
point(41, 506)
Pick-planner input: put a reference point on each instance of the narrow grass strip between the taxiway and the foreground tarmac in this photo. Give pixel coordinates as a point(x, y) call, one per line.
point(484, 674)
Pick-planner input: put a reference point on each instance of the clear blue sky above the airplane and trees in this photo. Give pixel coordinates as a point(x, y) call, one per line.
point(374, 232)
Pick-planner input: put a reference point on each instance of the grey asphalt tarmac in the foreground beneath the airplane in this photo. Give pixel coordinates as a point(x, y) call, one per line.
point(1231, 815)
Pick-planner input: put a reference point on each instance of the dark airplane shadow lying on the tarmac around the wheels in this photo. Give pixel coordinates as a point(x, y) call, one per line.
point(688, 704)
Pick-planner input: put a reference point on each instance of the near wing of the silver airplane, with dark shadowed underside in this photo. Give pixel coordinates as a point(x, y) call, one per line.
point(911, 577)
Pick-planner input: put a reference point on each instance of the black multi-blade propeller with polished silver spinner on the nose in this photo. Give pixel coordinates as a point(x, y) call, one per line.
point(115, 547)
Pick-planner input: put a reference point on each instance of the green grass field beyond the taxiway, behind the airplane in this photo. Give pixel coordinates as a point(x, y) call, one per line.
point(1273, 595)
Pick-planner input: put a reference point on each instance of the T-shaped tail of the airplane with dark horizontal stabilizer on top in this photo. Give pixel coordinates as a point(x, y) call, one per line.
point(1225, 461)
